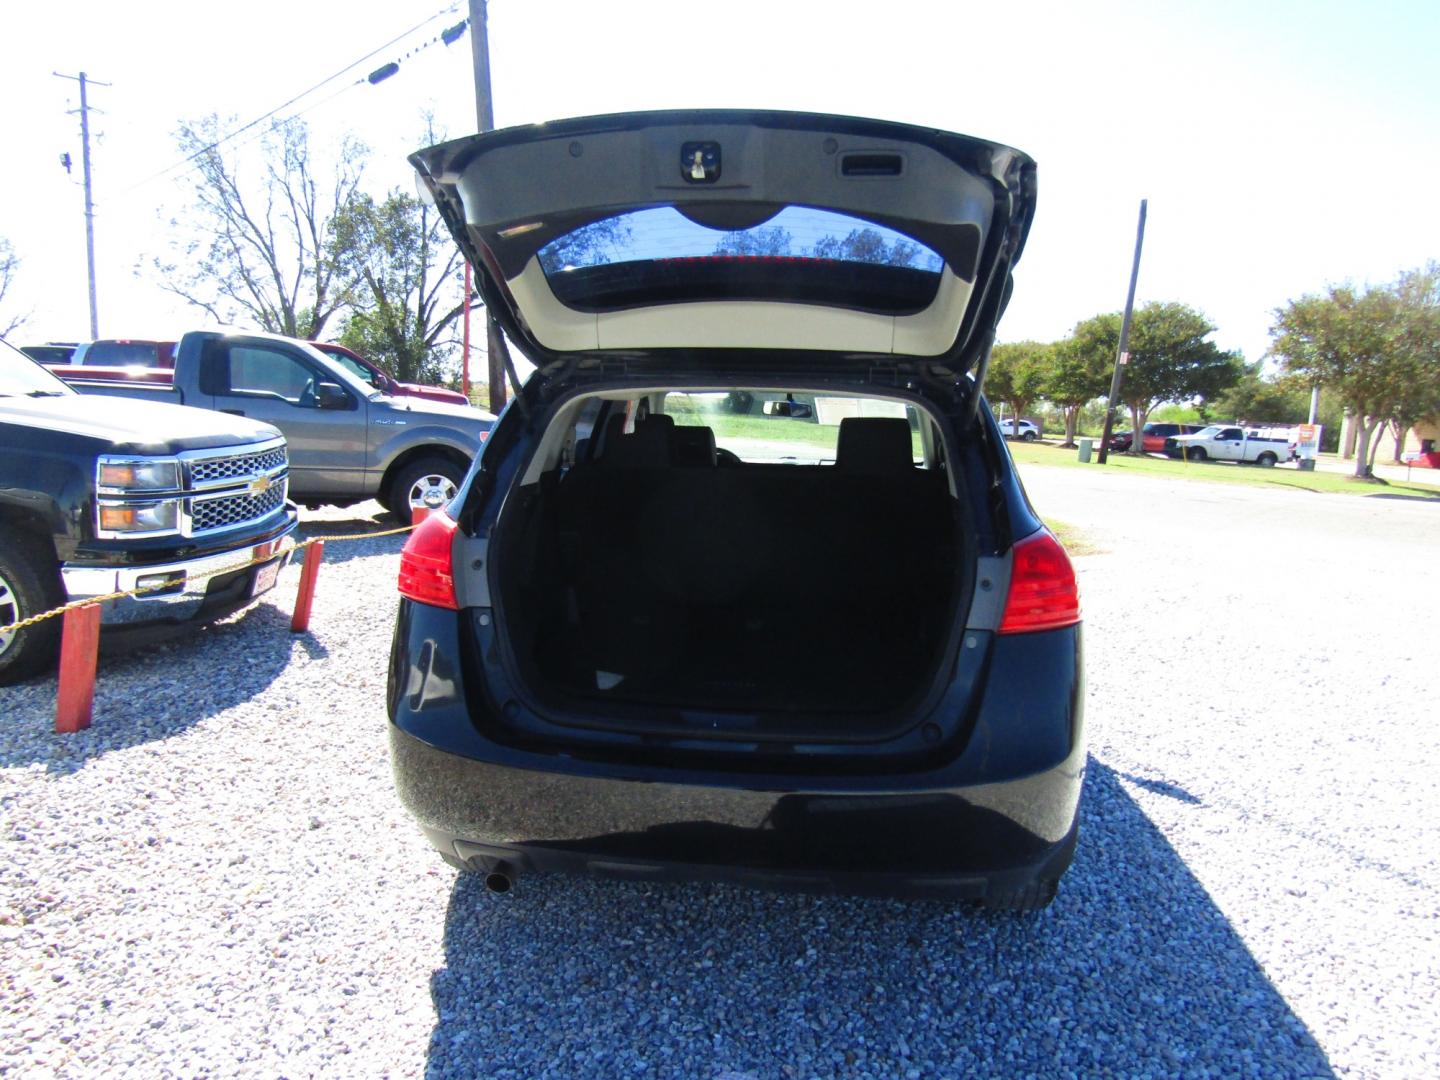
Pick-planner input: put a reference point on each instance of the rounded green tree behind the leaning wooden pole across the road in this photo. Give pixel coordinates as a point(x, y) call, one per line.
point(1171, 358)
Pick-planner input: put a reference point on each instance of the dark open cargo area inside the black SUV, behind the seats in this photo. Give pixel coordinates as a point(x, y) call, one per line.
point(662, 572)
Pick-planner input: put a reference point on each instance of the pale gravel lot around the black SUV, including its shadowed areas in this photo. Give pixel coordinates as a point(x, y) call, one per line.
point(217, 879)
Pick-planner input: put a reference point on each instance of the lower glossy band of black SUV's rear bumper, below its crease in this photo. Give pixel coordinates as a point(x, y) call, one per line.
point(963, 845)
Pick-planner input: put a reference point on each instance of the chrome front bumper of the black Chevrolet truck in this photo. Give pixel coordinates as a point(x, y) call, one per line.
point(227, 580)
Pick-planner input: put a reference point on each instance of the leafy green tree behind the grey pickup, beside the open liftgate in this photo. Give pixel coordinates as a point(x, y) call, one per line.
point(407, 280)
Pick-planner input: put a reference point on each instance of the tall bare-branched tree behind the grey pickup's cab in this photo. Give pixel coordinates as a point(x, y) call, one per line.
point(258, 248)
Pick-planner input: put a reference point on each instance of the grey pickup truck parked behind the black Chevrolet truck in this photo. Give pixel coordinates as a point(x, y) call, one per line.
point(348, 441)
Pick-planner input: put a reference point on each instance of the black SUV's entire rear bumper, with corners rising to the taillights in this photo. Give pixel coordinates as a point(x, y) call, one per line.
point(983, 822)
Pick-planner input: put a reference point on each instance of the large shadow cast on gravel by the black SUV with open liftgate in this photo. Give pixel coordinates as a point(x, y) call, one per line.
point(1133, 971)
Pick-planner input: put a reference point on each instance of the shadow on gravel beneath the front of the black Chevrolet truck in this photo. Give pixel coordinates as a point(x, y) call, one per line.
point(241, 657)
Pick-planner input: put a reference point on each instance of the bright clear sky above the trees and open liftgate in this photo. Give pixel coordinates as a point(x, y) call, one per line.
point(1282, 146)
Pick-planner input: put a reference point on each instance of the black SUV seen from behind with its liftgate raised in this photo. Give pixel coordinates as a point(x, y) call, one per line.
point(822, 643)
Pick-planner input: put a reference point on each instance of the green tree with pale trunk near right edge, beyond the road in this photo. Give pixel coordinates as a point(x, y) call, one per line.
point(1349, 341)
